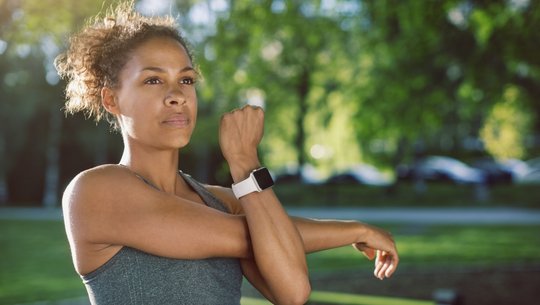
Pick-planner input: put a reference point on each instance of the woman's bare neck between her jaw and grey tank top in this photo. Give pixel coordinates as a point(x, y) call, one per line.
point(159, 167)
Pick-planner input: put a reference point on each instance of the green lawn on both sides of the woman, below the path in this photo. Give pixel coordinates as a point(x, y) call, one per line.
point(35, 263)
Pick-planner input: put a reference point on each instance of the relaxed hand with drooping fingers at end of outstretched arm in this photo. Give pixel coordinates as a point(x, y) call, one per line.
point(381, 247)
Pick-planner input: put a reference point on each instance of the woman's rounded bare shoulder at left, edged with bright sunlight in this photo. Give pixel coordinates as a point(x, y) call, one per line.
point(100, 198)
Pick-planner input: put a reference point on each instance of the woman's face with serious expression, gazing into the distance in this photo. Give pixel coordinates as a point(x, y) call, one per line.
point(156, 99)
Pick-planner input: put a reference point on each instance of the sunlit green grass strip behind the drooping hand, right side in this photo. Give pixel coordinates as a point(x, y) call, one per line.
point(434, 246)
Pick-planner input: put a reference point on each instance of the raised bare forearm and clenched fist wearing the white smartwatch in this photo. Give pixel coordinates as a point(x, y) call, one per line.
point(277, 247)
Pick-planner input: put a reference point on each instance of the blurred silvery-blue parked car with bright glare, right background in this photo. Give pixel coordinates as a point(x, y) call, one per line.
point(441, 168)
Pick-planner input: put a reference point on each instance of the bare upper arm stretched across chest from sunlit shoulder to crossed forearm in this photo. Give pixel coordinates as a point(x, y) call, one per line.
point(109, 206)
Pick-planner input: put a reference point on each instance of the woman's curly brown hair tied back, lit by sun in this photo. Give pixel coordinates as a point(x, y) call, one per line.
point(96, 55)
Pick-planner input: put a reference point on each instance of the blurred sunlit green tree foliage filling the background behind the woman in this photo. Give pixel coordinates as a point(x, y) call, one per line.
point(341, 83)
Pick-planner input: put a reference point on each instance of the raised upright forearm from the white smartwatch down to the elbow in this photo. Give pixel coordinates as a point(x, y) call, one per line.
point(276, 243)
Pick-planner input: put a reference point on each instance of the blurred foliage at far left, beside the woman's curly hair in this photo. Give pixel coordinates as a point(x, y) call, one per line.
point(32, 33)
